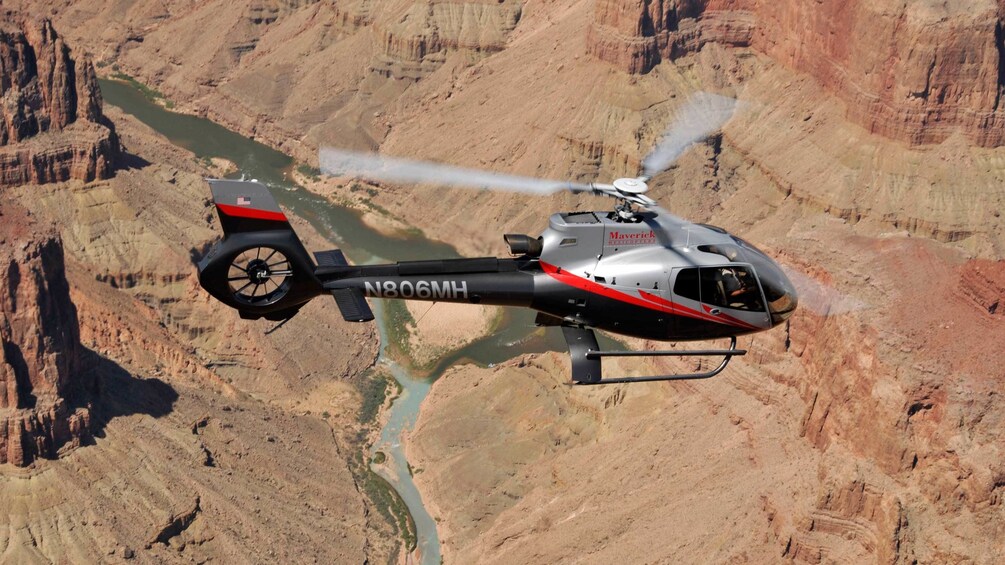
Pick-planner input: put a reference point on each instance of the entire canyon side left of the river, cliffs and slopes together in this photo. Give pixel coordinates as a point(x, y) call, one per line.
point(202, 446)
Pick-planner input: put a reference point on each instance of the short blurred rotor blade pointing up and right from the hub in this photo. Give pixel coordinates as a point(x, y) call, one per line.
point(699, 118)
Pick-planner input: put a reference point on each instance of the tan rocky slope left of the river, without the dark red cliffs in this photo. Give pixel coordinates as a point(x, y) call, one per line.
point(212, 432)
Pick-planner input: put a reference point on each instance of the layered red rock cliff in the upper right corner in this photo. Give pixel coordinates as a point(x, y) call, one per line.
point(914, 72)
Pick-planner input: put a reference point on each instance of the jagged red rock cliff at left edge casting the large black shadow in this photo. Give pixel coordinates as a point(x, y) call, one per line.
point(43, 359)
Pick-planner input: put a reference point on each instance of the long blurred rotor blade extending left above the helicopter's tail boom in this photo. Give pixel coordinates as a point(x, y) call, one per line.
point(339, 162)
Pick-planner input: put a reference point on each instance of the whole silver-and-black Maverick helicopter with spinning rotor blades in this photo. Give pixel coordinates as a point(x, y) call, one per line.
point(637, 270)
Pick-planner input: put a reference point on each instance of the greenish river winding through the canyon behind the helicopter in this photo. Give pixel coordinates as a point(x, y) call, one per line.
point(517, 334)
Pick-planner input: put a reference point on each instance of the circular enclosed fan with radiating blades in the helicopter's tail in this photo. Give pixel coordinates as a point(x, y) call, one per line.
point(260, 277)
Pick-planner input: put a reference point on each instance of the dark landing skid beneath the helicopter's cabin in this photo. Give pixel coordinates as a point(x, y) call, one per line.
point(586, 358)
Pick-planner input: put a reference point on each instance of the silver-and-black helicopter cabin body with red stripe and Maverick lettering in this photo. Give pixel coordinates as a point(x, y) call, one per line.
point(670, 278)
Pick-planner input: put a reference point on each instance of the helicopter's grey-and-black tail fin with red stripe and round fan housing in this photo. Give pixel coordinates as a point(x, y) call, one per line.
point(261, 268)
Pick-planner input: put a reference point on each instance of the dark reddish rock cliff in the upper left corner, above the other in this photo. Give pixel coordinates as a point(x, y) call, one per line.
point(53, 129)
